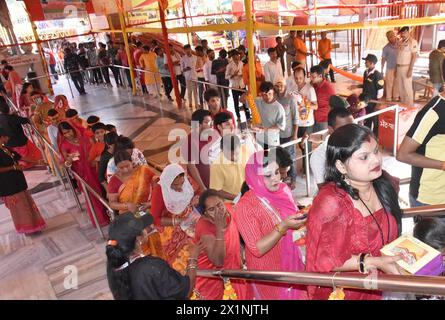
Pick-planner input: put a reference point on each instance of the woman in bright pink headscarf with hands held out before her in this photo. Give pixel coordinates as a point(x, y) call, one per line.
point(266, 216)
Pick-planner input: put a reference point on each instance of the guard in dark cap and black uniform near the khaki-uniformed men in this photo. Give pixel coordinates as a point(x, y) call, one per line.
point(373, 85)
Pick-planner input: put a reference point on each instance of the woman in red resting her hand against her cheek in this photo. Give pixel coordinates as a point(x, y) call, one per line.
point(217, 232)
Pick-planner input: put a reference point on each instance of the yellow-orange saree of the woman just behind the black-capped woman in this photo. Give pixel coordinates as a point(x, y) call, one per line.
point(137, 190)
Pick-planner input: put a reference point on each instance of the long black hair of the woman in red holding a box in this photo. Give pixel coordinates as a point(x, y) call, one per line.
point(341, 145)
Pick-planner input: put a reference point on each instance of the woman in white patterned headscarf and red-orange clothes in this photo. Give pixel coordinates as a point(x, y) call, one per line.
point(173, 207)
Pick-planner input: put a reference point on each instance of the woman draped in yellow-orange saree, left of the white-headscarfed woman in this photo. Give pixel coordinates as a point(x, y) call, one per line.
point(130, 190)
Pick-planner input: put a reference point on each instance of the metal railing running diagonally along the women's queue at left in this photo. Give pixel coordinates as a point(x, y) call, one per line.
point(43, 143)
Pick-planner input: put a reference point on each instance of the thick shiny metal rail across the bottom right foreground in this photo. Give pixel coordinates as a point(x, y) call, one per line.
point(383, 282)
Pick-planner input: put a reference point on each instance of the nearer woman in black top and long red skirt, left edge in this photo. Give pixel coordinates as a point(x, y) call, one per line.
point(13, 191)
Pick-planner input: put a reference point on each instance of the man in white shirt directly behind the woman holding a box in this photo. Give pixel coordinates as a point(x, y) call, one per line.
point(337, 118)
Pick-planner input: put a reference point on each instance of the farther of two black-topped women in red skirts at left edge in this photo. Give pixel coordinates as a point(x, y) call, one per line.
point(18, 142)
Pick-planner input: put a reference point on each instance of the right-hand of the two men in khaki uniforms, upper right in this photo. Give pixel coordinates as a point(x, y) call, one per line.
point(406, 57)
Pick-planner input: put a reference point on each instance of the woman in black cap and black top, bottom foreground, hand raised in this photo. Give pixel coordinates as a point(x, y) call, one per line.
point(135, 275)
